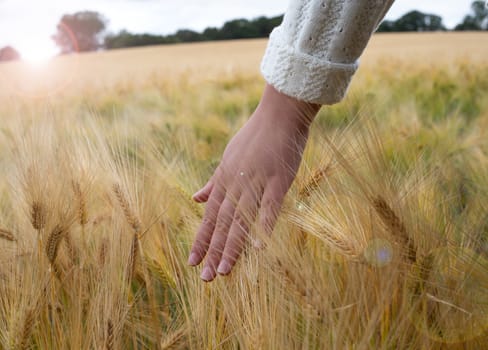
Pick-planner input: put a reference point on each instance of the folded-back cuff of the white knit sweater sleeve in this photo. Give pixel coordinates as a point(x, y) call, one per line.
point(302, 76)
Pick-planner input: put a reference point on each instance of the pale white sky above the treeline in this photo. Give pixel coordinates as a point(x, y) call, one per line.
point(28, 24)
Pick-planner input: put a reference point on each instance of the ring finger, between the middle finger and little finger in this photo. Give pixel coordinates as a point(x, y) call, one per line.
point(244, 215)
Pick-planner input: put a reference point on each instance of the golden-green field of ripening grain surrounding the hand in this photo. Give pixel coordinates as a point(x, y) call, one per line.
point(382, 242)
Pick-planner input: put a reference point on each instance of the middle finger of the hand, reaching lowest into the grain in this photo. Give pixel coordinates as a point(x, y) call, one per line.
point(224, 221)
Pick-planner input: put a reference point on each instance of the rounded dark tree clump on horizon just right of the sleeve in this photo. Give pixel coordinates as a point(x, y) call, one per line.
point(413, 21)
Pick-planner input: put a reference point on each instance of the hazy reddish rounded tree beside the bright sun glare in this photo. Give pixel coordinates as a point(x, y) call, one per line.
point(79, 32)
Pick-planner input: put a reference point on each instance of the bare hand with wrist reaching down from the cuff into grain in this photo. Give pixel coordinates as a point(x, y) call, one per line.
point(257, 169)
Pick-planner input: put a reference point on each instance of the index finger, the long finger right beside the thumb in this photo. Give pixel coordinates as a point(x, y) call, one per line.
point(205, 231)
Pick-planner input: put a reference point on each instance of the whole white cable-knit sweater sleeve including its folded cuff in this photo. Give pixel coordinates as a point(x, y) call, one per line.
point(314, 53)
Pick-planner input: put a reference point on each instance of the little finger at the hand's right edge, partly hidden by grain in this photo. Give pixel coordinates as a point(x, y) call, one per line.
point(273, 196)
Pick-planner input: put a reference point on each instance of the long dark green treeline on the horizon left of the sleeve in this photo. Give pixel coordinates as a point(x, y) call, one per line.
point(236, 29)
